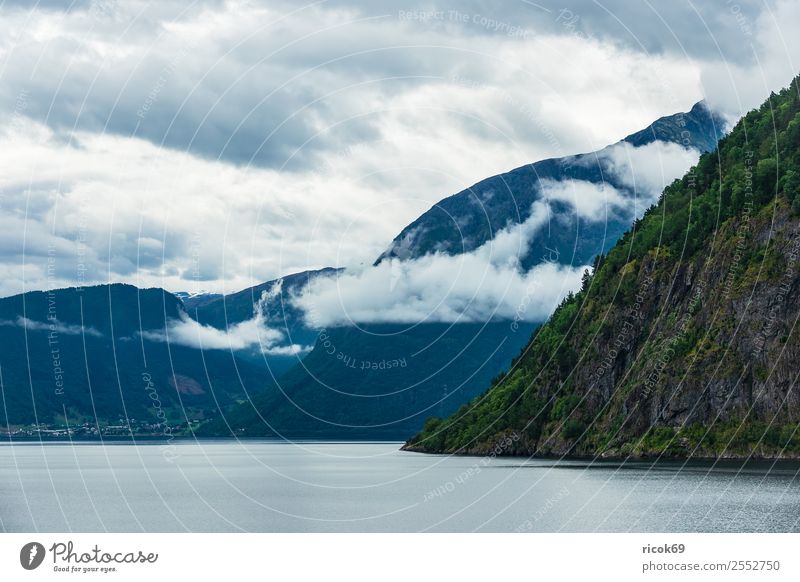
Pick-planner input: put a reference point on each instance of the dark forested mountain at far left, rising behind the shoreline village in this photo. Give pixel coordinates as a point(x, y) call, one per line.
point(92, 354)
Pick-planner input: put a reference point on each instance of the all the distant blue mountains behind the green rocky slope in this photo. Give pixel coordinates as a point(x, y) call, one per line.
point(369, 381)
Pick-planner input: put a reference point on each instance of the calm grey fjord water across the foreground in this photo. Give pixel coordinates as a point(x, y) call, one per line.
point(273, 486)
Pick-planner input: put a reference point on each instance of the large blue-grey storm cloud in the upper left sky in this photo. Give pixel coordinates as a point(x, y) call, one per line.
point(248, 94)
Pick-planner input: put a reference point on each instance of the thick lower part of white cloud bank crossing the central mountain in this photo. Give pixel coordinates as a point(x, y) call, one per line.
point(480, 286)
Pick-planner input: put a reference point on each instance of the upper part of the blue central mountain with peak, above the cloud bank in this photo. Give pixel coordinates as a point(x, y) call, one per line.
point(465, 221)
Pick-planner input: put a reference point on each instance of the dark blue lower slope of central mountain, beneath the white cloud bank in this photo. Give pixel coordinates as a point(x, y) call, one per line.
point(381, 387)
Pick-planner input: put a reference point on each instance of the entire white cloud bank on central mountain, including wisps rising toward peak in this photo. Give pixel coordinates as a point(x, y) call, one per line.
point(489, 284)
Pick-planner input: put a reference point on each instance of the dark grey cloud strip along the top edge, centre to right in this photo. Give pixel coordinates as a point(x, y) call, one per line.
point(700, 29)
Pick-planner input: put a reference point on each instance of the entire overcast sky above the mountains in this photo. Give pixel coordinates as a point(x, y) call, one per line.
point(214, 145)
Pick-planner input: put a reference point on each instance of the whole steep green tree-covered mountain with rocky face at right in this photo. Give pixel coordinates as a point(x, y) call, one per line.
point(684, 342)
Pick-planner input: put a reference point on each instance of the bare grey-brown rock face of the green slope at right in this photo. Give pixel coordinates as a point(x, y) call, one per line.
point(703, 359)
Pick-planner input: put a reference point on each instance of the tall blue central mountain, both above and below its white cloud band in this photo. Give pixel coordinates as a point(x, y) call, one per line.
point(337, 392)
